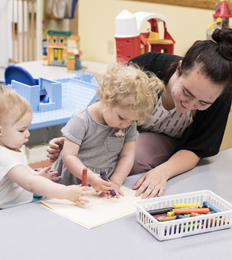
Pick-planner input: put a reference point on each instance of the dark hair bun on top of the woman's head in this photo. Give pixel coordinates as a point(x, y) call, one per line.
point(223, 38)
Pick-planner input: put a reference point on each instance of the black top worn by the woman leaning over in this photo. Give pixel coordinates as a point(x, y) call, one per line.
point(204, 135)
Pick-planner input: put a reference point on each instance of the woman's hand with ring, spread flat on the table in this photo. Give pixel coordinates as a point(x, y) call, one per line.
point(152, 182)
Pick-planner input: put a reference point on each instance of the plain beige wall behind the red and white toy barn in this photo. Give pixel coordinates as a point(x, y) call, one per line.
point(97, 25)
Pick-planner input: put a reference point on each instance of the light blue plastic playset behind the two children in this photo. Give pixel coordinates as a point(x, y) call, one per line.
point(64, 97)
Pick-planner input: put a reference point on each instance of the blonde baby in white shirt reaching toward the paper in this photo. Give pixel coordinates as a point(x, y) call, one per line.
point(18, 181)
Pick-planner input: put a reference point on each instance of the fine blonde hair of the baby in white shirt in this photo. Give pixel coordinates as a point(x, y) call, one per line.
point(9, 99)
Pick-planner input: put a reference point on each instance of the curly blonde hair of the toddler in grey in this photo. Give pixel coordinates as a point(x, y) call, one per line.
point(130, 87)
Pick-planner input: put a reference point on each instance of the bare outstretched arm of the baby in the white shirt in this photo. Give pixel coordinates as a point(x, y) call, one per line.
point(44, 187)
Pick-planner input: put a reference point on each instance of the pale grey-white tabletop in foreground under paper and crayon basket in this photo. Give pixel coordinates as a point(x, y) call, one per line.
point(33, 232)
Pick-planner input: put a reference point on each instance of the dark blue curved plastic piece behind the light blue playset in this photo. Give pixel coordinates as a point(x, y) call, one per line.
point(13, 72)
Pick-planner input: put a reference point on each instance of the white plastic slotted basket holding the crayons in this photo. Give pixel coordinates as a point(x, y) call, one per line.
point(188, 226)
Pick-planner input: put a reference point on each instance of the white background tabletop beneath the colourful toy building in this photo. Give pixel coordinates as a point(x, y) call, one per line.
point(37, 69)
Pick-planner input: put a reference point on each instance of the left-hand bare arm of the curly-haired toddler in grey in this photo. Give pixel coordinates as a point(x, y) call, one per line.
point(75, 166)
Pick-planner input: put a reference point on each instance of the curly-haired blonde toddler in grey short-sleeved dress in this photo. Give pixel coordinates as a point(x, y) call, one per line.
point(101, 137)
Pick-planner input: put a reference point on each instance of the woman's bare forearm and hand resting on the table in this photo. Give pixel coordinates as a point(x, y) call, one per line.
point(182, 161)
